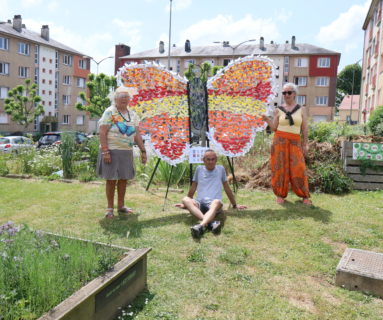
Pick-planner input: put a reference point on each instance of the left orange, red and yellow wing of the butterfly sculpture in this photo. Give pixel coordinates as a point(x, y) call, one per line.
point(162, 106)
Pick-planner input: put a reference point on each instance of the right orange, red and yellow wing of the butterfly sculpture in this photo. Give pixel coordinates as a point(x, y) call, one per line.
point(238, 96)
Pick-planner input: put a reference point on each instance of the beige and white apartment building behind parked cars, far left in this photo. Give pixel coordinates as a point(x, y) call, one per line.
point(59, 71)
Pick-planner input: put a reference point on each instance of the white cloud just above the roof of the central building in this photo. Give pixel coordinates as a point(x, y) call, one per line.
point(224, 27)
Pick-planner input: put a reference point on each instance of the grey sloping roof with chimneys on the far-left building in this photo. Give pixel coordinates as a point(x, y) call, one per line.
point(7, 28)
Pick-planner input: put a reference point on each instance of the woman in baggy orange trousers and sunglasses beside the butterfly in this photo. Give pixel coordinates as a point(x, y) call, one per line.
point(289, 147)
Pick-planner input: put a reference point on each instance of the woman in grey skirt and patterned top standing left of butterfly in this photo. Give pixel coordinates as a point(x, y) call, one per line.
point(118, 133)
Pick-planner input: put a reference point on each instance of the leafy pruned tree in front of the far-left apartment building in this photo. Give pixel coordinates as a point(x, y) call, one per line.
point(22, 103)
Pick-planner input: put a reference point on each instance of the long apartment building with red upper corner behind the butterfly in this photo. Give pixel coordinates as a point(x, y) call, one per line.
point(312, 68)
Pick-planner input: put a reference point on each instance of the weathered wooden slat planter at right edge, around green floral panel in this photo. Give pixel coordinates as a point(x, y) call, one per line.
point(371, 180)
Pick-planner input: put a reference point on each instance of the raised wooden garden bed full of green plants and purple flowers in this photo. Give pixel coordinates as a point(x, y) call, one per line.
point(38, 270)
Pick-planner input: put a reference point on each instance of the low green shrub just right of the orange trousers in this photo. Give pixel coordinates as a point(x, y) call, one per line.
point(330, 178)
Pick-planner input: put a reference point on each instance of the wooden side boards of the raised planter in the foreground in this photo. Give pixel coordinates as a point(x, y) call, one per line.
point(103, 297)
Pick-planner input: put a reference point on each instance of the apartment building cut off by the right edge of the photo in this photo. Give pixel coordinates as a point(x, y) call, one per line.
point(372, 68)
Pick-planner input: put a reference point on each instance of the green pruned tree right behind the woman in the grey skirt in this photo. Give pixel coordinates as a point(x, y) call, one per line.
point(99, 88)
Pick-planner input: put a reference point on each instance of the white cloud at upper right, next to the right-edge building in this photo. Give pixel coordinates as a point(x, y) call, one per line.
point(343, 29)
